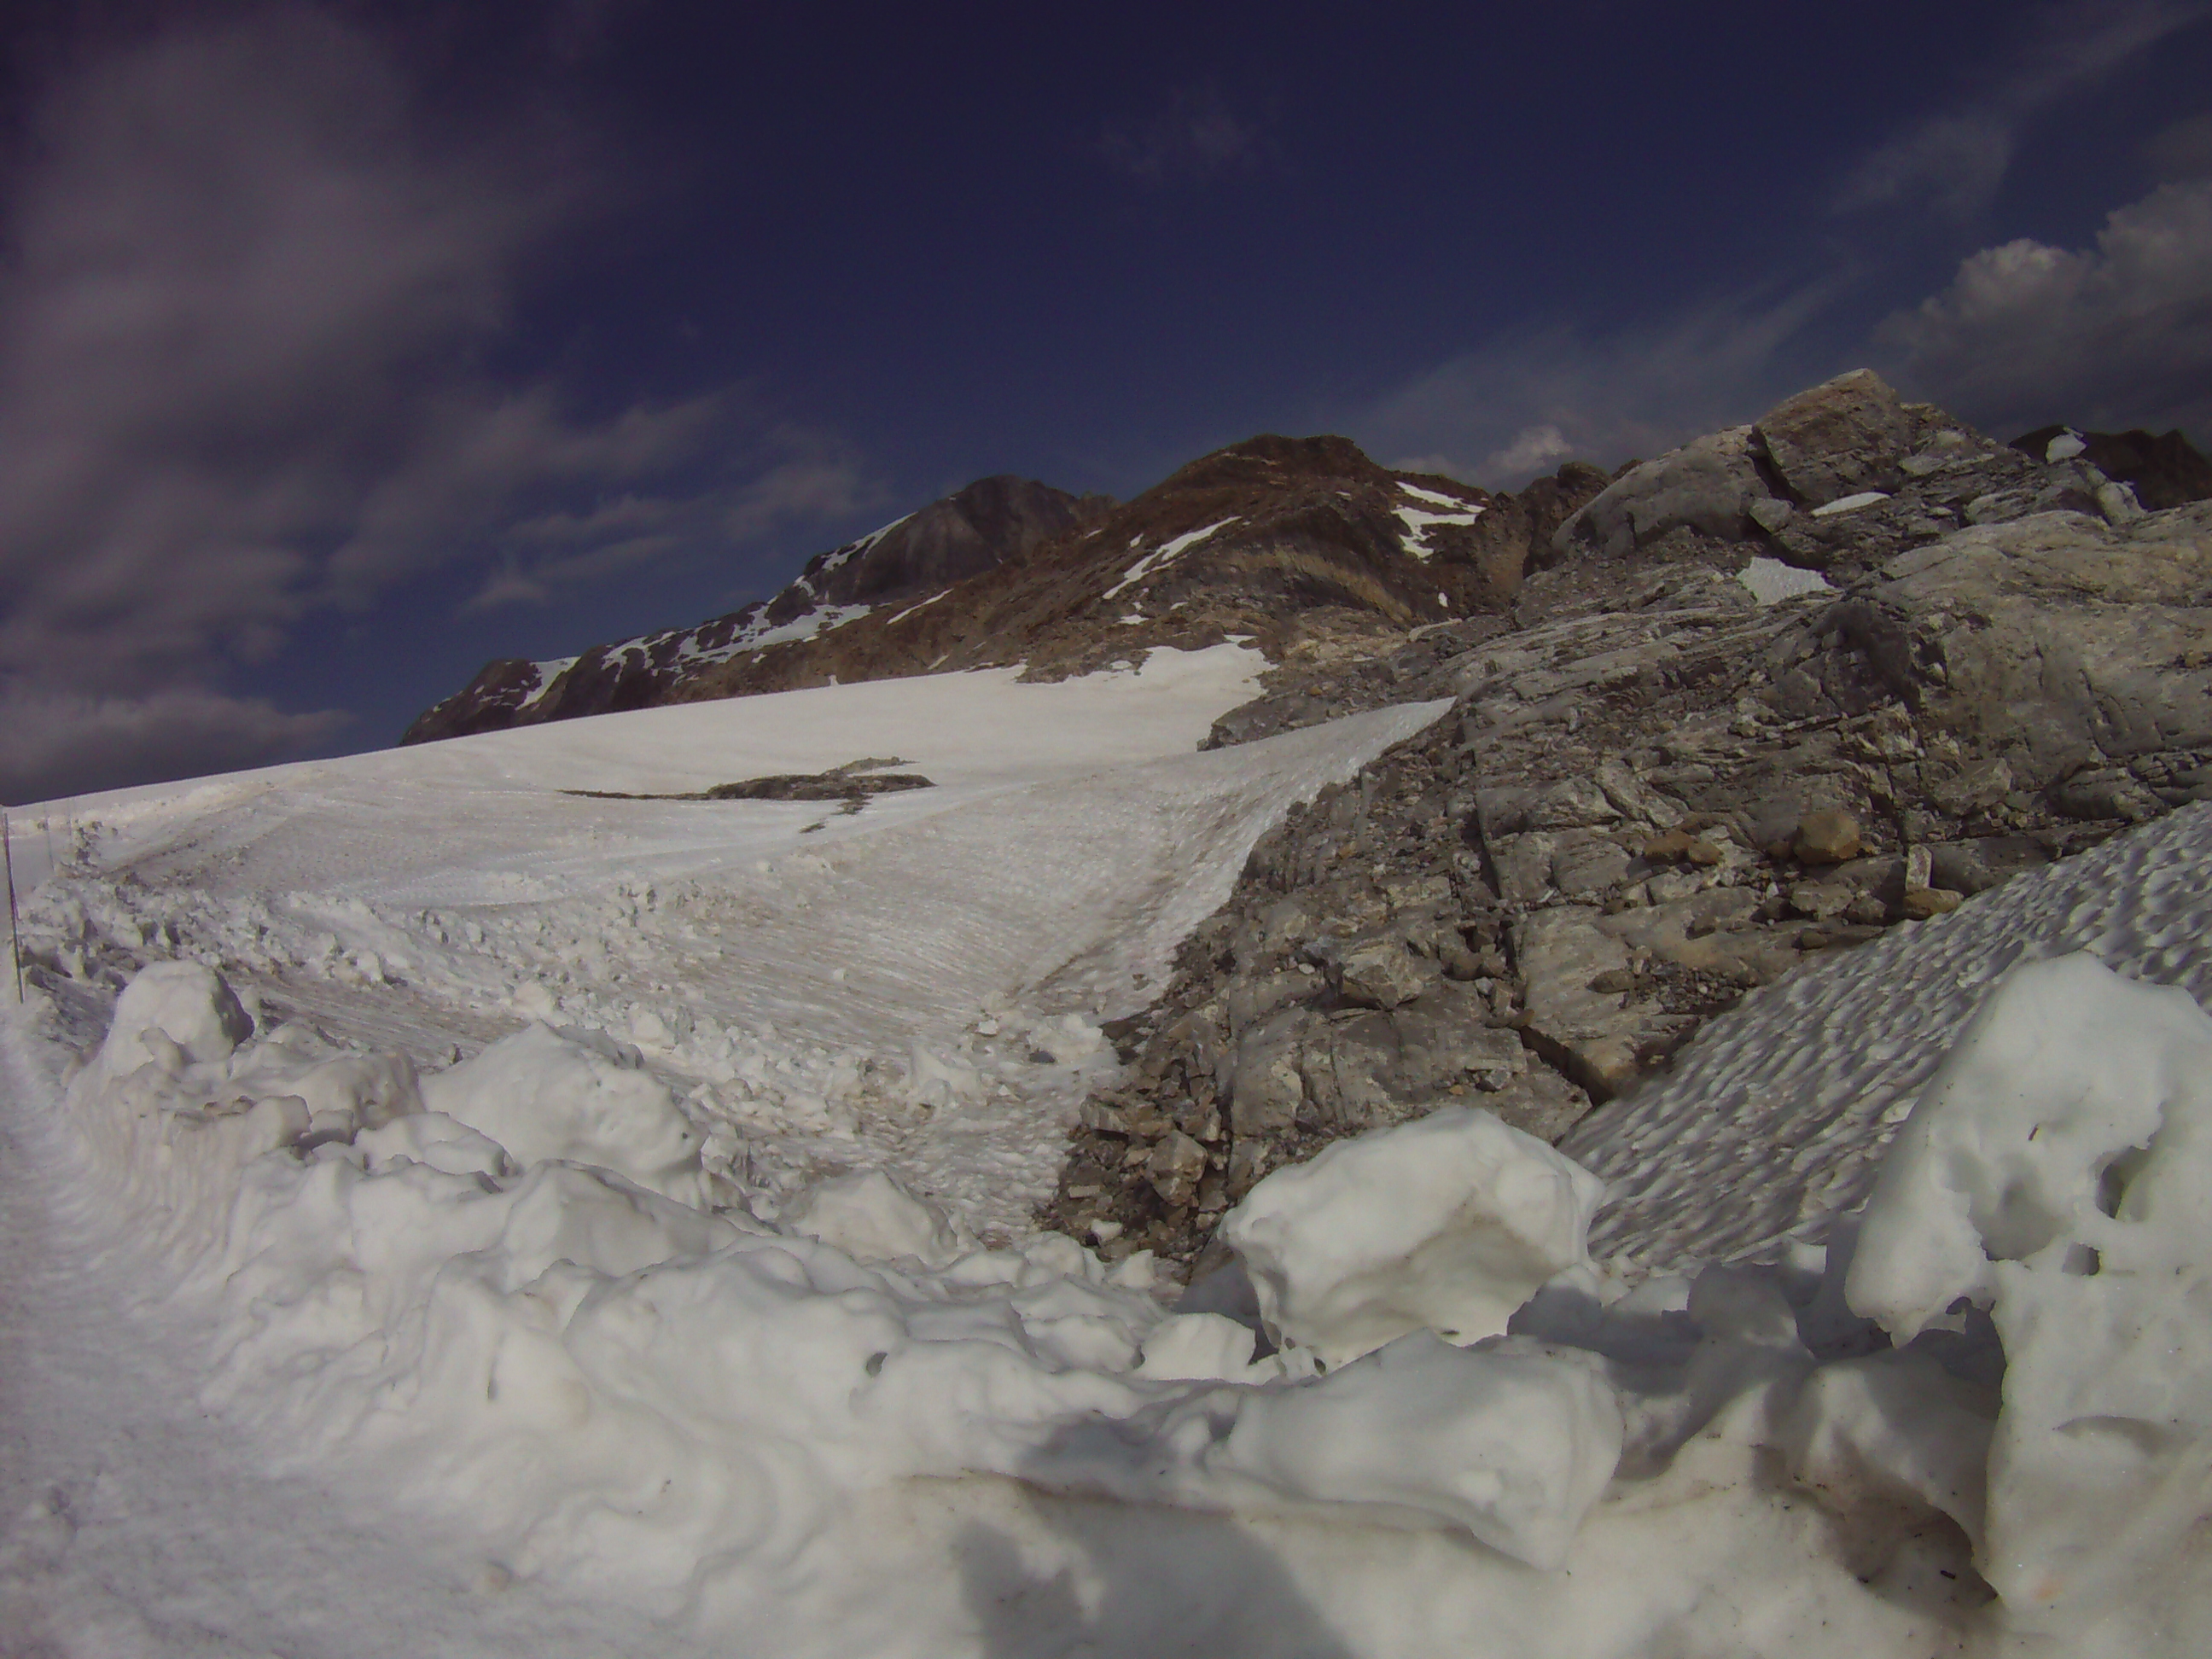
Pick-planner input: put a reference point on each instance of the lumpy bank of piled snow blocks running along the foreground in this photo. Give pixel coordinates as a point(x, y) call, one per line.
point(636, 1395)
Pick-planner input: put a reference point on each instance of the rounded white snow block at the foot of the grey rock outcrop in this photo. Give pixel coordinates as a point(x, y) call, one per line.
point(1448, 1224)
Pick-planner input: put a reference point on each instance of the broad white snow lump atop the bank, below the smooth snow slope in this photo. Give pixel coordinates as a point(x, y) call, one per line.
point(574, 1096)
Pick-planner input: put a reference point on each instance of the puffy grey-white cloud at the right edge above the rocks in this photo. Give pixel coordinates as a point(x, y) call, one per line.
point(2109, 337)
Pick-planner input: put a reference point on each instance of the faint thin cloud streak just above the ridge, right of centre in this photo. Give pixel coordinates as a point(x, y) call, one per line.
point(1538, 395)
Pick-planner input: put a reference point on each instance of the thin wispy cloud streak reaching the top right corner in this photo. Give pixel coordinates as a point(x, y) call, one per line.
point(1957, 160)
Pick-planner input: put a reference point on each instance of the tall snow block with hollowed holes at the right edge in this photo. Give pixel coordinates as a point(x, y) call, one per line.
point(2054, 1171)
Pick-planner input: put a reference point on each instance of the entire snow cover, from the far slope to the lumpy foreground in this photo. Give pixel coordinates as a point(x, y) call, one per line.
point(499, 1220)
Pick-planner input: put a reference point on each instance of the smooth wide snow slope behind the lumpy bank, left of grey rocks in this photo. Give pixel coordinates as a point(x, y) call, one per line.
point(811, 979)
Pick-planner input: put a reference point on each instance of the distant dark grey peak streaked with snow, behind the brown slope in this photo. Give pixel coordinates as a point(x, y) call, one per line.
point(950, 541)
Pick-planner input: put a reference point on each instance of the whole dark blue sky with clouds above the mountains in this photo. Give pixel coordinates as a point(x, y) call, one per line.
point(348, 346)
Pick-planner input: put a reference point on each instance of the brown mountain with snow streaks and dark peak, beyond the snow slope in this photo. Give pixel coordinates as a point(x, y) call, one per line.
point(1304, 545)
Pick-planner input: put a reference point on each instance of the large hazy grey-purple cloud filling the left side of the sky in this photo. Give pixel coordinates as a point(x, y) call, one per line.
point(242, 342)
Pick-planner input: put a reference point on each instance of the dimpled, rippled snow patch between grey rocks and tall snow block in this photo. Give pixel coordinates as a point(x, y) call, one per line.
point(1788, 1100)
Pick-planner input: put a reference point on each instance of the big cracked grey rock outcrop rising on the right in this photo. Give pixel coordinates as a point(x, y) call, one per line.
point(1669, 780)
